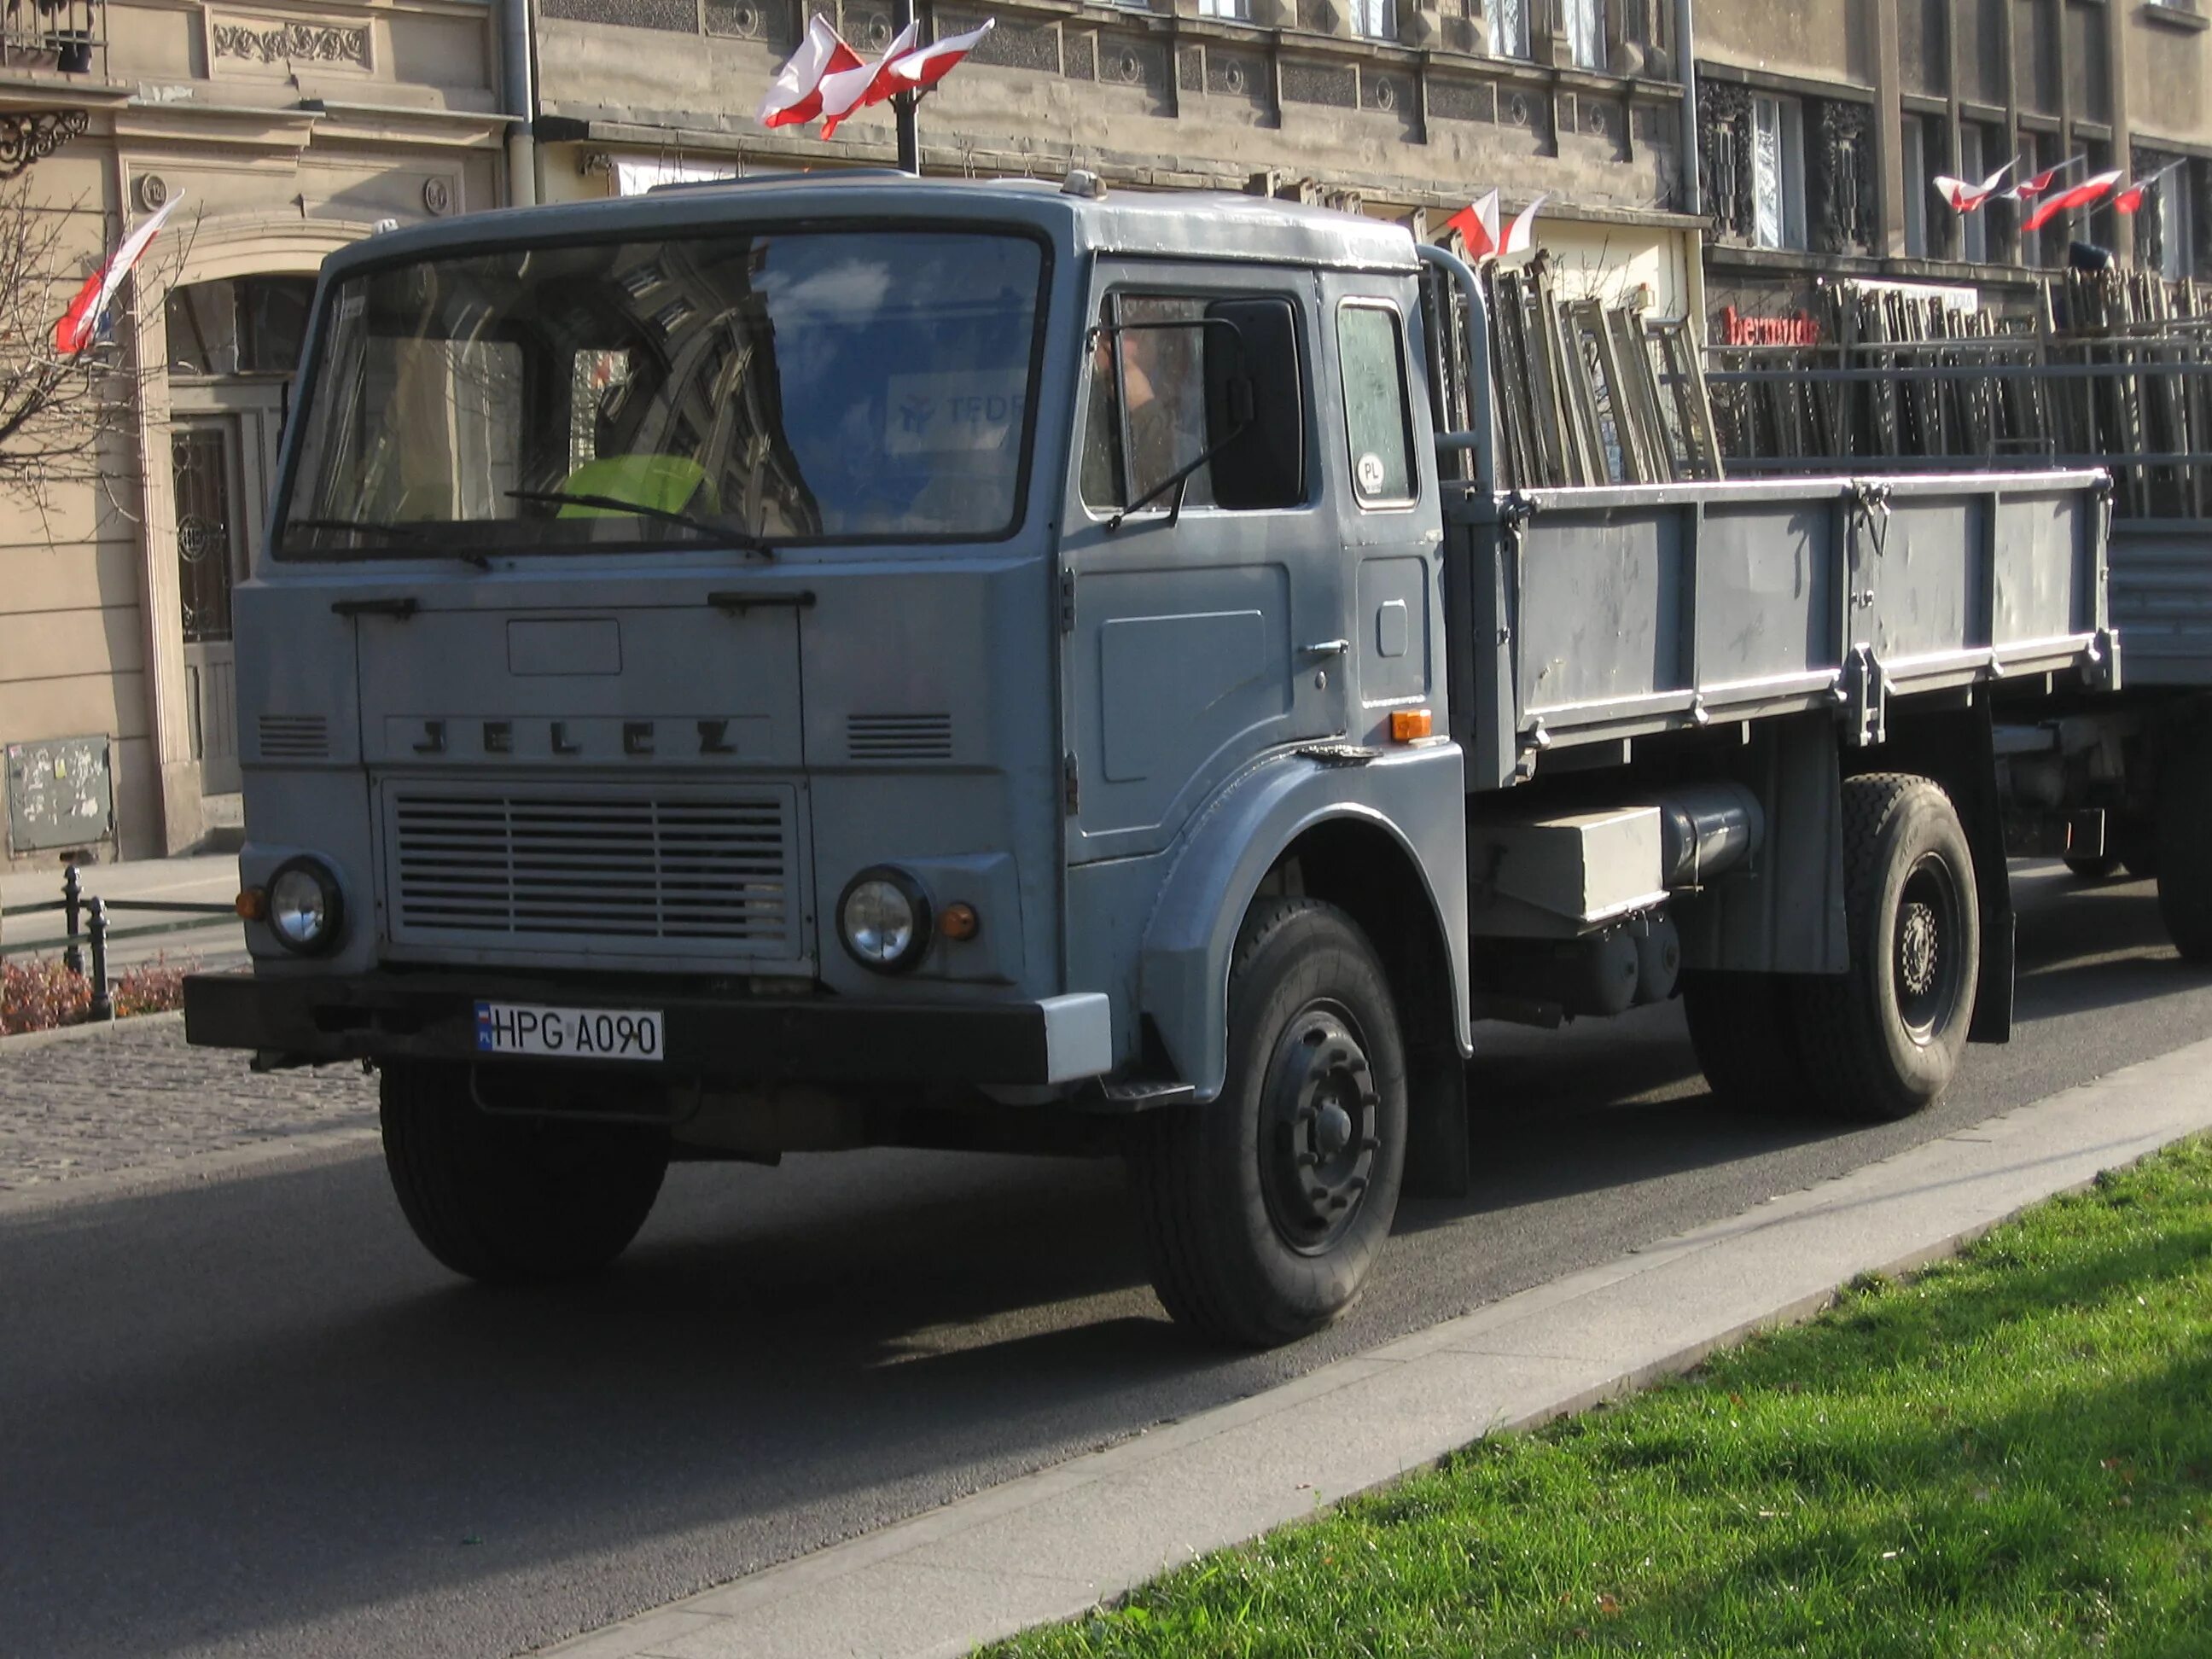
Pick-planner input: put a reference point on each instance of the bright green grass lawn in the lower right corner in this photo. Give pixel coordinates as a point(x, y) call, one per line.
point(2010, 1454)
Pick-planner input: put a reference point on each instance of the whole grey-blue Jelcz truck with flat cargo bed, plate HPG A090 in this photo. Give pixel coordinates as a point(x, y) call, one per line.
point(846, 660)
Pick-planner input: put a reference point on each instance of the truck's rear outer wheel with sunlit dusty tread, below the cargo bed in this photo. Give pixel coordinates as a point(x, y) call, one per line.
point(1888, 1036)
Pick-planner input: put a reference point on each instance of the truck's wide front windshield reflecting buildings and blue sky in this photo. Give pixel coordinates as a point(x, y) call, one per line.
point(755, 390)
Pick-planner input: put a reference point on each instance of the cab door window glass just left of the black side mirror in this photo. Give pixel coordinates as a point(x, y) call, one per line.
point(1147, 410)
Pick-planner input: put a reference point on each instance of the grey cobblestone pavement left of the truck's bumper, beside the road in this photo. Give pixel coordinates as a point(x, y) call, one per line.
point(143, 1098)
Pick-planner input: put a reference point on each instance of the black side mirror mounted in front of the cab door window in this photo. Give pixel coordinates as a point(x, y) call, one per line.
point(1255, 404)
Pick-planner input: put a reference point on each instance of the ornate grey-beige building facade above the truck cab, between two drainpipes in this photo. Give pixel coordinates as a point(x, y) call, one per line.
point(1401, 109)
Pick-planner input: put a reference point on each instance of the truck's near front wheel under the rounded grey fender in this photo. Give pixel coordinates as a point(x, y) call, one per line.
point(1264, 1211)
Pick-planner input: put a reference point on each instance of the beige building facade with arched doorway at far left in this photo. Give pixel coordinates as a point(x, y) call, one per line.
point(289, 132)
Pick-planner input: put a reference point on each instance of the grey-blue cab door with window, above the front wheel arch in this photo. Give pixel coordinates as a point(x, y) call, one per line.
point(1204, 638)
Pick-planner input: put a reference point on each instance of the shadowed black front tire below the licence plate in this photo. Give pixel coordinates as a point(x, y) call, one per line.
point(514, 1200)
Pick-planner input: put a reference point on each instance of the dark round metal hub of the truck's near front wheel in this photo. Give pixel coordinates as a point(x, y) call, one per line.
point(1319, 1127)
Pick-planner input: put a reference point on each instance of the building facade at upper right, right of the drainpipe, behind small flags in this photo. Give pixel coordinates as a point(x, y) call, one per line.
point(1819, 143)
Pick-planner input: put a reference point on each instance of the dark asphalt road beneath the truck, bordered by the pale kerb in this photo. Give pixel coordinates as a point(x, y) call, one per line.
point(255, 1419)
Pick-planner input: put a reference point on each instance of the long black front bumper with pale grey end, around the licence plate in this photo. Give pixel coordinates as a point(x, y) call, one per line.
point(742, 1041)
